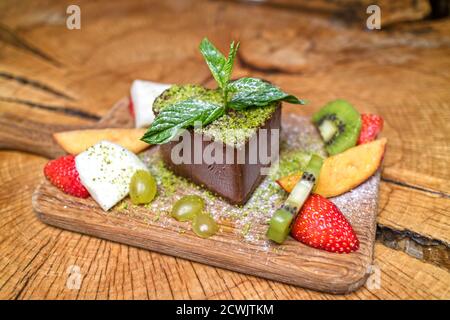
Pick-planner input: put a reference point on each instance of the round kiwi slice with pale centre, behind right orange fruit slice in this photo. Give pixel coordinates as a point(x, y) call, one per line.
point(339, 124)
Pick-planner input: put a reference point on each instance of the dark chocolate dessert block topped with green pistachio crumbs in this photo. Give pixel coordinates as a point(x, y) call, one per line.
point(228, 157)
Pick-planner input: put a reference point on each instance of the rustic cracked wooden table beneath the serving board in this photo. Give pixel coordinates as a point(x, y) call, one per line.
point(55, 75)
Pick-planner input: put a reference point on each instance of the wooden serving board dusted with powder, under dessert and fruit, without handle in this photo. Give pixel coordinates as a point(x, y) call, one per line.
point(240, 245)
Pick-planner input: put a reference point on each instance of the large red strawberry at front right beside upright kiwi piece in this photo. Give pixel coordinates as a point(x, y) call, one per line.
point(320, 224)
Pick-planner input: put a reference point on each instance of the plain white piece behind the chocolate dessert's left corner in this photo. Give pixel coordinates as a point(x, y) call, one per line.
point(143, 94)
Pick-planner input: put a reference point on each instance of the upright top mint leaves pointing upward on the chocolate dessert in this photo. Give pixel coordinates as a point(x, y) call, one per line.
point(219, 66)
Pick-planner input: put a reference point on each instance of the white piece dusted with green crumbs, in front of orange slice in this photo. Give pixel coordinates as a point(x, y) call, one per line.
point(105, 170)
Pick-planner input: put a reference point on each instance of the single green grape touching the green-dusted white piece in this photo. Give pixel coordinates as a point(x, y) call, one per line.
point(142, 187)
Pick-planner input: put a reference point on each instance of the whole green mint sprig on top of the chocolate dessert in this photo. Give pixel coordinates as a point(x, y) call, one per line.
point(238, 95)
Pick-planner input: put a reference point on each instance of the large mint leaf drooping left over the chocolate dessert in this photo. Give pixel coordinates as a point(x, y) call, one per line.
point(181, 115)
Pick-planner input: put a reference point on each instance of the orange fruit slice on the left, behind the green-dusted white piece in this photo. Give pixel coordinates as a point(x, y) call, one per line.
point(77, 141)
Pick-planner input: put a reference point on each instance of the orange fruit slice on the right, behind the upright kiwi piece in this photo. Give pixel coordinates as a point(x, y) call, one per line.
point(344, 171)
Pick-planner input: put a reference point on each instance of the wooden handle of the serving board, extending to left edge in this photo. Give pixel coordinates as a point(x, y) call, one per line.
point(17, 133)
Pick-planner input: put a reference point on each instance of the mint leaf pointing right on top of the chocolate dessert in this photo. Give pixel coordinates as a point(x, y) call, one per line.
point(247, 92)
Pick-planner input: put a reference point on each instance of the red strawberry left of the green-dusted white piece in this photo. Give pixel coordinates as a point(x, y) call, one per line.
point(63, 174)
